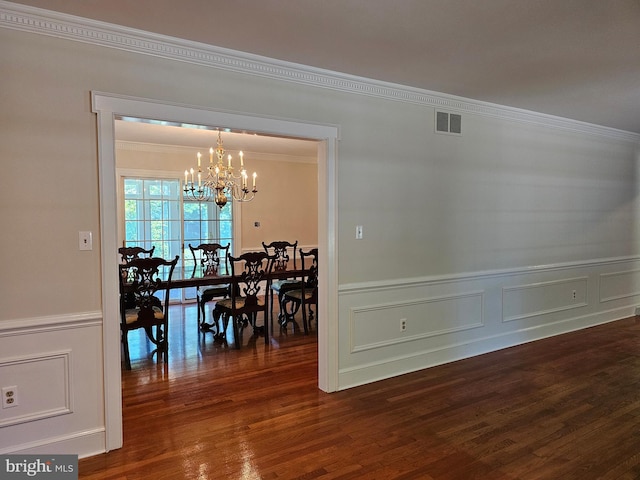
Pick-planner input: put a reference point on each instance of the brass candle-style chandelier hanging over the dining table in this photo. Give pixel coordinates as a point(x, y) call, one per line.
point(219, 181)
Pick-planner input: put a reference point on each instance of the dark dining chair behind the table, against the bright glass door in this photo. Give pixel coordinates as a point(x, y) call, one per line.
point(213, 259)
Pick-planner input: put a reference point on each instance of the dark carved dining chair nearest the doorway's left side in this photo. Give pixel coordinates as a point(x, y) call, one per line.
point(149, 280)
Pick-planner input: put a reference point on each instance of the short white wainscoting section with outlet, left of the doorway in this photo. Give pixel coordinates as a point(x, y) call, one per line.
point(56, 364)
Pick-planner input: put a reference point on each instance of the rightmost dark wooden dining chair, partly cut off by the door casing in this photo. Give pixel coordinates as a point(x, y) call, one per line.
point(307, 295)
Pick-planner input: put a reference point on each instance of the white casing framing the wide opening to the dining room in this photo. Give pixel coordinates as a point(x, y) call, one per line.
point(107, 106)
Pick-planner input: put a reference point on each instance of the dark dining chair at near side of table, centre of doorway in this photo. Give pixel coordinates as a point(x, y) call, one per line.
point(249, 271)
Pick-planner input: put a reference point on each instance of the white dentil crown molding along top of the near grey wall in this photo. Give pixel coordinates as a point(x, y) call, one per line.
point(45, 22)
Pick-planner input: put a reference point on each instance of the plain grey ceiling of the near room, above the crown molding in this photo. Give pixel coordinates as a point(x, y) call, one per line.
point(578, 59)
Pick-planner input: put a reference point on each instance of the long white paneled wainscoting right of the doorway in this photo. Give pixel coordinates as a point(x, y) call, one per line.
point(448, 318)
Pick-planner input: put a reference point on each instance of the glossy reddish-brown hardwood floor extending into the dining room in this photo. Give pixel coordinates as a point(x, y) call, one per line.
point(565, 408)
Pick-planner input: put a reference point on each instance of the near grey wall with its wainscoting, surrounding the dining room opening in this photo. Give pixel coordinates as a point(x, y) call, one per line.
point(524, 226)
